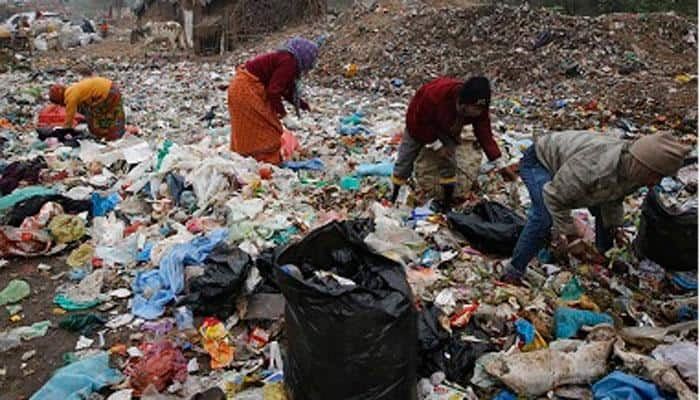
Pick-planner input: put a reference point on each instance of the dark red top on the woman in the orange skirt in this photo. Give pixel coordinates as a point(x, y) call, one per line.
point(278, 71)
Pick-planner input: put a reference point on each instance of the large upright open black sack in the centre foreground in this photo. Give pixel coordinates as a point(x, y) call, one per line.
point(346, 342)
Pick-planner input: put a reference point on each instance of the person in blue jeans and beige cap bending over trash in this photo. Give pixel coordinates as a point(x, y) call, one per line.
point(577, 169)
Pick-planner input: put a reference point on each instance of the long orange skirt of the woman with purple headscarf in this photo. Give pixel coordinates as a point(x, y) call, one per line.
point(255, 128)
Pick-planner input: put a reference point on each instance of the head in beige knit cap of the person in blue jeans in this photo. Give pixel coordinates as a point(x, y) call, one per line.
point(658, 155)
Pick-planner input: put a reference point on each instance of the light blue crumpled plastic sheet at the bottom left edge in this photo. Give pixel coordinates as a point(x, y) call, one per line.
point(79, 379)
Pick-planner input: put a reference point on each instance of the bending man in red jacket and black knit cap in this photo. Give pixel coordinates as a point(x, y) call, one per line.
point(435, 118)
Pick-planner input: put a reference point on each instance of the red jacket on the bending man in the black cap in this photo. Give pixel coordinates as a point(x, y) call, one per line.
point(433, 110)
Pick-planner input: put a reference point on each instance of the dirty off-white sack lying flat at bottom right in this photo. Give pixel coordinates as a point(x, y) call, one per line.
point(568, 362)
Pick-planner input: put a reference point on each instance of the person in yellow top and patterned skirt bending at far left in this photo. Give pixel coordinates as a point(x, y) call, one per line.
point(99, 100)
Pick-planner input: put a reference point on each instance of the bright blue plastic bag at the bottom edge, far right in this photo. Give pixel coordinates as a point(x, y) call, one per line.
point(621, 386)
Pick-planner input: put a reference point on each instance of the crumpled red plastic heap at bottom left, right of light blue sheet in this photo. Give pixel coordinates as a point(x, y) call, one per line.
point(161, 364)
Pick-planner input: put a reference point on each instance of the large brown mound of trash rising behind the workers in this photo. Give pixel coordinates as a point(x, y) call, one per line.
point(627, 70)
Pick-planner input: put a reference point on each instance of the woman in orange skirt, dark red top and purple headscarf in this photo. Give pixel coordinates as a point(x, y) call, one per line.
point(255, 98)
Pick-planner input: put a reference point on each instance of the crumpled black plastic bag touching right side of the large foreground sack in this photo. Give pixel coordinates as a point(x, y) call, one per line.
point(451, 354)
